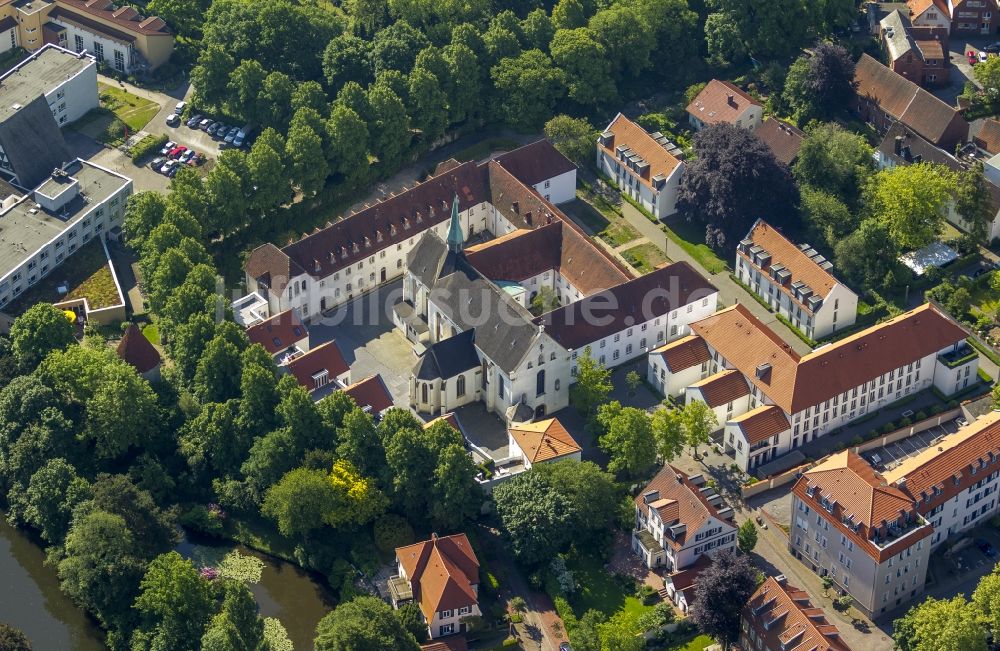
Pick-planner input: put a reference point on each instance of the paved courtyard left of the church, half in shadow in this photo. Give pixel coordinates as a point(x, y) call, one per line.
point(371, 345)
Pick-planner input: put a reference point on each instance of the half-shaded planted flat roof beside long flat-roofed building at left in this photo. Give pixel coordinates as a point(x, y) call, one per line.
point(86, 274)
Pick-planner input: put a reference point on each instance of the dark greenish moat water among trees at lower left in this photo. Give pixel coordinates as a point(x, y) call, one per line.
point(30, 598)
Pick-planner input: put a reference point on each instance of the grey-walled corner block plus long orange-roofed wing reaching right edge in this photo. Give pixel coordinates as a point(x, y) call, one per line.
point(872, 533)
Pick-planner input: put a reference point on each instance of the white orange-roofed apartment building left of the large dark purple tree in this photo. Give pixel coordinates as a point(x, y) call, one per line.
point(647, 168)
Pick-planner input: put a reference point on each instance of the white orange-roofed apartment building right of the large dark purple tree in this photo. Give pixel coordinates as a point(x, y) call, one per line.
point(795, 281)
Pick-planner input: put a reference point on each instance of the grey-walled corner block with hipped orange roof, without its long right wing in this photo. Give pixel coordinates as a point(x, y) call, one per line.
point(852, 525)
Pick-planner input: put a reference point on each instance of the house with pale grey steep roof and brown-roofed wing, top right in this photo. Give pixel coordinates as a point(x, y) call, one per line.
point(914, 52)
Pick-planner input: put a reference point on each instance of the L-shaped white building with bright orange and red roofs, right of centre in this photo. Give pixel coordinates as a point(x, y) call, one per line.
point(825, 389)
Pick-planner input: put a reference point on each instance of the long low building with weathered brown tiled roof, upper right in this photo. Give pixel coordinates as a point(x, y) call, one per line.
point(883, 97)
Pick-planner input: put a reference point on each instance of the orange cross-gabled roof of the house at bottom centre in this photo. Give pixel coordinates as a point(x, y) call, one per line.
point(442, 573)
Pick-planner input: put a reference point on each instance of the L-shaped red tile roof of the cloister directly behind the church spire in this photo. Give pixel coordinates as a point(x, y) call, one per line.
point(556, 246)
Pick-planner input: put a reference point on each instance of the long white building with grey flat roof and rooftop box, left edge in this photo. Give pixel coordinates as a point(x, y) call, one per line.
point(42, 228)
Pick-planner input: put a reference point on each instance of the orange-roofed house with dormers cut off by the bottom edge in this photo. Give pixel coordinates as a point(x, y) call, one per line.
point(779, 617)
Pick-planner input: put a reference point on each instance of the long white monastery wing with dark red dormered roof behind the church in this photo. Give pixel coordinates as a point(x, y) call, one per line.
point(369, 248)
